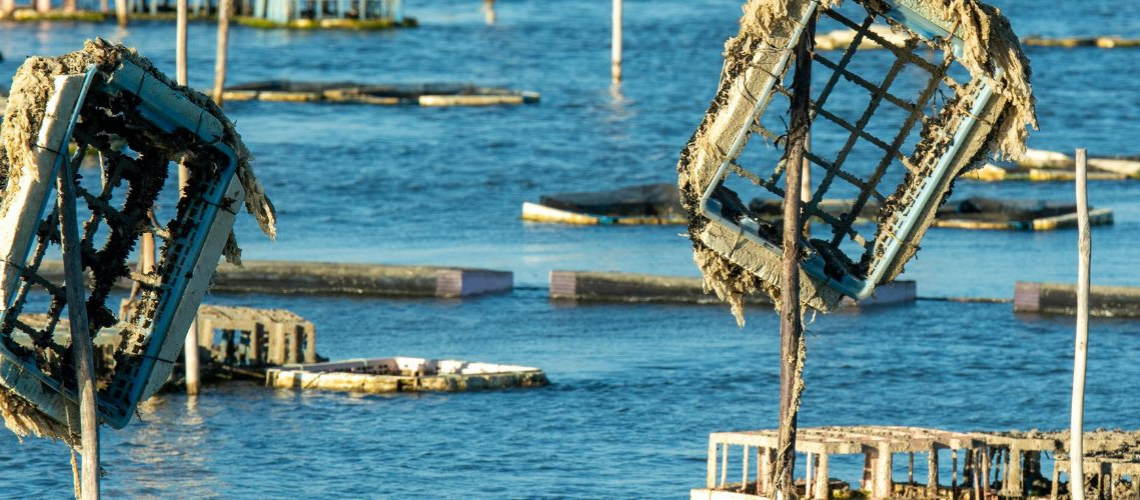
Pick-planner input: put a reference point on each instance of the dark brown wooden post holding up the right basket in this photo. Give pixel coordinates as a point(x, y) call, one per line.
point(792, 327)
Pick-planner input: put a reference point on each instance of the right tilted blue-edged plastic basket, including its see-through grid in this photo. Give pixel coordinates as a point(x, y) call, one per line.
point(891, 127)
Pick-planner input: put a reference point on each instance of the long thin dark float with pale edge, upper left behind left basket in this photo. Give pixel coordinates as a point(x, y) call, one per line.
point(424, 95)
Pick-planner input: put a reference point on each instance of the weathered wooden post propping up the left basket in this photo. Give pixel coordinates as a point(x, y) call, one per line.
point(82, 340)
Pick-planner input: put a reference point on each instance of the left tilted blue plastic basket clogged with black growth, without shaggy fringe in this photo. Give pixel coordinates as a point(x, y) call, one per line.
point(161, 127)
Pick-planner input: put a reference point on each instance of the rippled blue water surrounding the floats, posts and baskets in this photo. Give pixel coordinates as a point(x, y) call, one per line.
point(637, 388)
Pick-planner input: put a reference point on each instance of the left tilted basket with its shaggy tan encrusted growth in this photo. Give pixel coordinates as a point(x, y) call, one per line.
point(32, 372)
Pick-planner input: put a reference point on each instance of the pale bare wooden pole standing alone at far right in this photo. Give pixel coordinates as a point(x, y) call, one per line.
point(1081, 348)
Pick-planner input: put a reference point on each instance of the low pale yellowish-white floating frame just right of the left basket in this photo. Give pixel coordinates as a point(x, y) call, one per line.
point(389, 375)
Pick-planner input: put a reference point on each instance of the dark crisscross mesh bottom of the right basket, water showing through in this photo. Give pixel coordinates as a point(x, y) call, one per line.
point(864, 135)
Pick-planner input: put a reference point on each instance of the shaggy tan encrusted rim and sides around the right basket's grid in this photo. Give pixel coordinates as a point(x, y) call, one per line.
point(988, 50)
